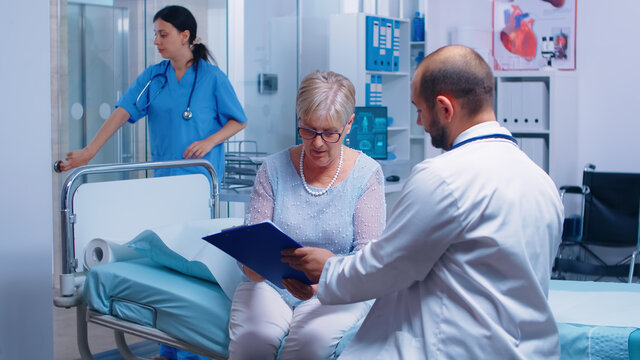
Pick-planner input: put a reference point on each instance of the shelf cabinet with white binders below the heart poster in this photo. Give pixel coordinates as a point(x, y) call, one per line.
point(540, 110)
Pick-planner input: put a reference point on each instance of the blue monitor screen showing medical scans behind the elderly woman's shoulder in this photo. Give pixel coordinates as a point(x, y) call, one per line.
point(369, 131)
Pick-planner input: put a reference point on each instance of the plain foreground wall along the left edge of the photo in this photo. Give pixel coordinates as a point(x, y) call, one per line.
point(26, 319)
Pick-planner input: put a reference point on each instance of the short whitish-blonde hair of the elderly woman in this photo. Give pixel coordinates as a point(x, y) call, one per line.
point(326, 94)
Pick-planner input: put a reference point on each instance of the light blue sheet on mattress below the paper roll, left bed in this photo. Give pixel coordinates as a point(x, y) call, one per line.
point(146, 293)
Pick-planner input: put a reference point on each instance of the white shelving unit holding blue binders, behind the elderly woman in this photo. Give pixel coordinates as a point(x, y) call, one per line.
point(348, 56)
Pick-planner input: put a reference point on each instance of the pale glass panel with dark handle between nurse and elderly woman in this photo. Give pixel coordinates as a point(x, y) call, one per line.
point(270, 72)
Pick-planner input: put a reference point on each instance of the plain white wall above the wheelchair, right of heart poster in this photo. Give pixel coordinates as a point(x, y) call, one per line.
point(609, 85)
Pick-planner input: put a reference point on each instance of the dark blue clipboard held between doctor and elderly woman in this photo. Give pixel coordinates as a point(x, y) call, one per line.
point(259, 247)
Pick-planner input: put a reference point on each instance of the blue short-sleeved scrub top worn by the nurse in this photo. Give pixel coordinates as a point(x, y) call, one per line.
point(213, 104)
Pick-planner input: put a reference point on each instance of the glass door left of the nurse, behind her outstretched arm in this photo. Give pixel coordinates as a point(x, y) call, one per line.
point(98, 40)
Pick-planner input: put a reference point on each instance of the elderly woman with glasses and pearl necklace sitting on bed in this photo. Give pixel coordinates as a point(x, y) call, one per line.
point(322, 194)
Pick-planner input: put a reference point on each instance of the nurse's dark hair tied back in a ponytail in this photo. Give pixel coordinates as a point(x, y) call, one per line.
point(182, 19)
